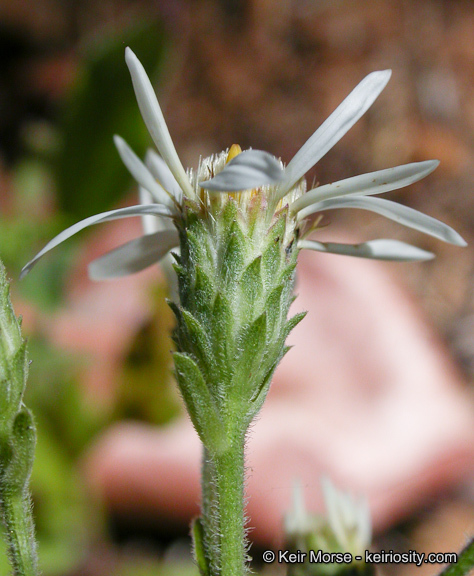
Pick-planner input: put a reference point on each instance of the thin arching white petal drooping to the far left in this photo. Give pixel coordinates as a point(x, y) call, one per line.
point(155, 209)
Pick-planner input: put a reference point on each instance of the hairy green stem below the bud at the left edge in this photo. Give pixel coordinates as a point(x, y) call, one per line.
point(18, 518)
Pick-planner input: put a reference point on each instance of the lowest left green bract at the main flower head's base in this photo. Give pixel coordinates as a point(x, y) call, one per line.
point(200, 403)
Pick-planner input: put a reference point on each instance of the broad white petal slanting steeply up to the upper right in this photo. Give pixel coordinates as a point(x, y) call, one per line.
point(334, 128)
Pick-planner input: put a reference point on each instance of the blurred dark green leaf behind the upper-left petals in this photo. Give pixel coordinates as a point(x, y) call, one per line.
point(101, 103)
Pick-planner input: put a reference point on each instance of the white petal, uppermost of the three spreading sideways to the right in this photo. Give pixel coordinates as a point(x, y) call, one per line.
point(368, 184)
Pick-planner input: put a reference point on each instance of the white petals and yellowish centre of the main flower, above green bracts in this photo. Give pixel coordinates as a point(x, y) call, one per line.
point(166, 187)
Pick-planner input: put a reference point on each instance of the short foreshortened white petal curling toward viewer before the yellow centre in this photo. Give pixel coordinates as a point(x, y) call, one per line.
point(249, 169)
